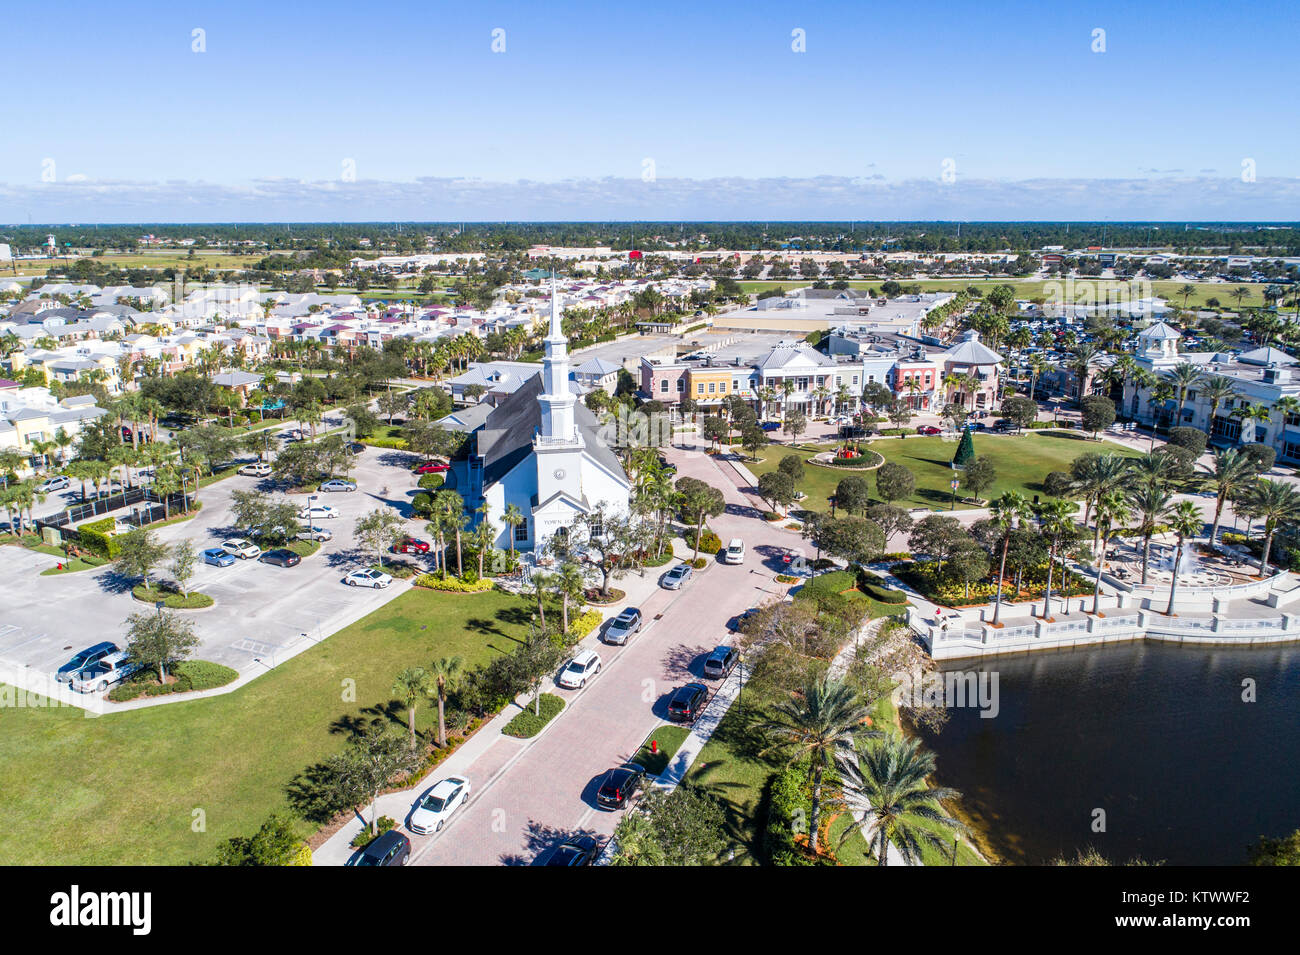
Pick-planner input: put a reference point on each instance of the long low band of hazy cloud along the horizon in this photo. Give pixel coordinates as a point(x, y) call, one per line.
point(1169, 197)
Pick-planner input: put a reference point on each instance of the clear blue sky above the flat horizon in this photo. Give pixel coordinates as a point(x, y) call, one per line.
point(413, 93)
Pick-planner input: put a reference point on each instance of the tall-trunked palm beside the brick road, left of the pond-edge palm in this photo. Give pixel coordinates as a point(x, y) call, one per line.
point(821, 723)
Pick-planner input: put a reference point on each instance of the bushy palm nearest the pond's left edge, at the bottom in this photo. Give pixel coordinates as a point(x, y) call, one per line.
point(887, 784)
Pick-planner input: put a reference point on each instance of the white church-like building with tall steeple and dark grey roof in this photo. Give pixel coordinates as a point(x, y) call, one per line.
point(541, 452)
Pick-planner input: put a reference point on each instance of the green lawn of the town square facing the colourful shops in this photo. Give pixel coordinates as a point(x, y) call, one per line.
point(1022, 462)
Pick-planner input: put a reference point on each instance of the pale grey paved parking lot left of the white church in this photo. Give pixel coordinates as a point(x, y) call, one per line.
point(262, 614)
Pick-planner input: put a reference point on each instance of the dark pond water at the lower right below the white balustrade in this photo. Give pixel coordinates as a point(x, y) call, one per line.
point(1158, 737)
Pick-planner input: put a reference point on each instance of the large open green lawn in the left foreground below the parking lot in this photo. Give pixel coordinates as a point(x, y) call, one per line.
point(123, 789)
